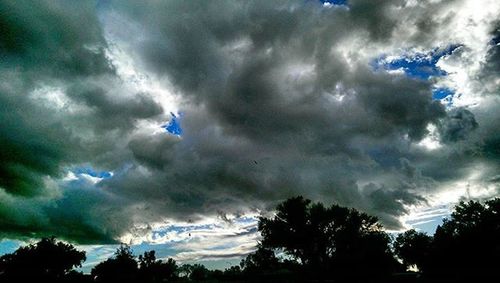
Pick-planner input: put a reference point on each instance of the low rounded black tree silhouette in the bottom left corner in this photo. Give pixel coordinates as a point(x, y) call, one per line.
point(45, 261)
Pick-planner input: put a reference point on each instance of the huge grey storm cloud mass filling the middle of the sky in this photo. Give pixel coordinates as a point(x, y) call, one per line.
point(261, 130)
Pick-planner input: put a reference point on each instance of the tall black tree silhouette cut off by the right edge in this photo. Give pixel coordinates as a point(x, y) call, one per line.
point(467, 246)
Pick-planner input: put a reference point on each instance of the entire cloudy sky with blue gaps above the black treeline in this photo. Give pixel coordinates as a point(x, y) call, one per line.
point(174, 125)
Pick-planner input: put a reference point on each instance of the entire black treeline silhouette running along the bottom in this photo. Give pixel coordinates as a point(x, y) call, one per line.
point(303, 242)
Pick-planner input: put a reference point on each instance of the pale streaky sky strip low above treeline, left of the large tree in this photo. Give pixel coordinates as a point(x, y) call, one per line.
point(207, 243)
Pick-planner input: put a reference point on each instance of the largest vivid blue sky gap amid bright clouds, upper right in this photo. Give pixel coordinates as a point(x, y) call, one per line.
point(417, 65)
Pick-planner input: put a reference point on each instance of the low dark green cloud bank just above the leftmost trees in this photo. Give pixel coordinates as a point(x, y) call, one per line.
point(79, 216)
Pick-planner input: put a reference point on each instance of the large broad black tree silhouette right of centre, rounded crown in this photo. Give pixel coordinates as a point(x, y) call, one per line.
point(329, 241)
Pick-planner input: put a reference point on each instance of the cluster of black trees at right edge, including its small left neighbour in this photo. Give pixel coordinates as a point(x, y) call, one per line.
point(466, 247)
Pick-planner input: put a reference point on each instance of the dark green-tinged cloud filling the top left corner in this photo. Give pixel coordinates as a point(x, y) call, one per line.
point(49, 38)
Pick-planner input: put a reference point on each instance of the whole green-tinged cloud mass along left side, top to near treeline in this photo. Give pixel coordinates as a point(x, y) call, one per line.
point(58, 45)
